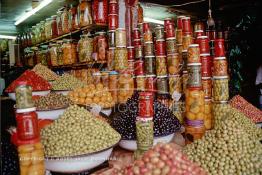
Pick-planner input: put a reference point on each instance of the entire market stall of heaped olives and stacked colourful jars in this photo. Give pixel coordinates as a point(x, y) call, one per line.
point(110, 92)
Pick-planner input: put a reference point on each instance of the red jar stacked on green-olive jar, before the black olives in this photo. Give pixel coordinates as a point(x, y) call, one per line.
point(144, 123)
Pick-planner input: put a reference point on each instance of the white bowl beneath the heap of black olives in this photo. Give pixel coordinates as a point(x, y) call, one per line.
point(132, 146)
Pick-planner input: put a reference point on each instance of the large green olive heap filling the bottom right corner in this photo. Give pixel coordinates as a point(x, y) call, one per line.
point(230, 148)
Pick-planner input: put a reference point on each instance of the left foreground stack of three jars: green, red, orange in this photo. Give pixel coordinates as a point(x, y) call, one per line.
point(30, 149)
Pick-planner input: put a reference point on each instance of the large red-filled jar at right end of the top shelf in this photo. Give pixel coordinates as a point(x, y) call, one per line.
point(100, 13)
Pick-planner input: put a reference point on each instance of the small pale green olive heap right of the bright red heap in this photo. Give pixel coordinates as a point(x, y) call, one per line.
point(67, 82)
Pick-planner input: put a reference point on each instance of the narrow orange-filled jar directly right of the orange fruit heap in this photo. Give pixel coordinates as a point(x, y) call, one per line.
point(113, 77)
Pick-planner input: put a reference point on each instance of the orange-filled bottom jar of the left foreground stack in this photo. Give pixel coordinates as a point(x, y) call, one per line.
point(31, 157)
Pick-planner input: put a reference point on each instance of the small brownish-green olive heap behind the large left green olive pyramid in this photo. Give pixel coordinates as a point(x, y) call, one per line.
point(52, 101)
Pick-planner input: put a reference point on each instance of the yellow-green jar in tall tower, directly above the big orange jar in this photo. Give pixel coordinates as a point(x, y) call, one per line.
point(121, 61)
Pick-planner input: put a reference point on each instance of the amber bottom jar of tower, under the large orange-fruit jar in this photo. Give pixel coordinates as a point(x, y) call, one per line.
point(195, 129)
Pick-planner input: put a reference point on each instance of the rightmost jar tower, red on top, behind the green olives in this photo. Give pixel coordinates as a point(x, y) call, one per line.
point(220, 78)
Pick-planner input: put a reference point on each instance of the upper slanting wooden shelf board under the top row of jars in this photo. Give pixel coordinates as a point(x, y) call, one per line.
point(87, 28)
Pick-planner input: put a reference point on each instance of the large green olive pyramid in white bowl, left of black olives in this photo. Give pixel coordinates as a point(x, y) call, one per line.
point(77, 132)
